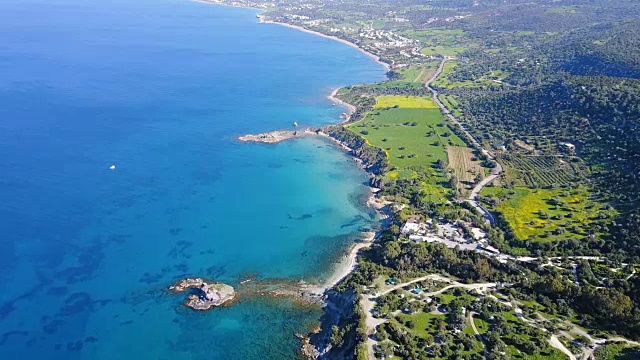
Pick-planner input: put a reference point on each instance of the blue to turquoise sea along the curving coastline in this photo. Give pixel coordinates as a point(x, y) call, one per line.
point(161, 89)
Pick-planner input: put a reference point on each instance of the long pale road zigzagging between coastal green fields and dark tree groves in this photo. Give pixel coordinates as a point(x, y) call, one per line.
point(495, 172)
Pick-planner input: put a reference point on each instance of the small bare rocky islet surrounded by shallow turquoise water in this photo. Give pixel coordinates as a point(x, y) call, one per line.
point(204, 294)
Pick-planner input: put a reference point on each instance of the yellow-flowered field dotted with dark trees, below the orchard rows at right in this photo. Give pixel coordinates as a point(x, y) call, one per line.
point(546, 215)
